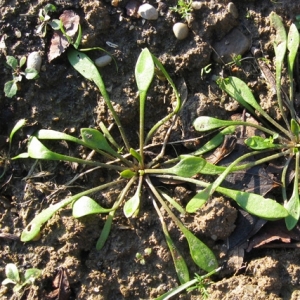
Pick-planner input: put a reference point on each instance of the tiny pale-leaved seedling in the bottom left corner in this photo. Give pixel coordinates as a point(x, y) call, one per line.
point(20, 281)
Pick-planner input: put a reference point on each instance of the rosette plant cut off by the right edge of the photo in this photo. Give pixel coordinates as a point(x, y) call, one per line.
point(281, 139)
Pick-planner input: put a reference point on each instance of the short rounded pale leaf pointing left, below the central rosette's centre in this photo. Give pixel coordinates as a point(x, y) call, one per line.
point(87, 206)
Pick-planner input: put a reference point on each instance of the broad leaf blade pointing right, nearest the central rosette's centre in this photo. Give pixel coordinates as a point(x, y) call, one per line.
point(187, 167)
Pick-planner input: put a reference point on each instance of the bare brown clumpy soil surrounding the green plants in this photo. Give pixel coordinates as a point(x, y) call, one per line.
point(61, 99)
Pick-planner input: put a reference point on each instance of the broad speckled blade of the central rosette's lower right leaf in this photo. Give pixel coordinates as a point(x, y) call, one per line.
point(201, 254)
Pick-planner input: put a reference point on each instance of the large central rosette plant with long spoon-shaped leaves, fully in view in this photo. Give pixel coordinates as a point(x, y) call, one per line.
point(135, 170)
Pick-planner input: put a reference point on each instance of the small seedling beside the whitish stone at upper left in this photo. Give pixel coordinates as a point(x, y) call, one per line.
point(11, 87)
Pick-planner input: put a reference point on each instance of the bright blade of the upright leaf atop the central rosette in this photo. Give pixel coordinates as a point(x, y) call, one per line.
point(144, 70)
